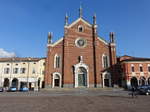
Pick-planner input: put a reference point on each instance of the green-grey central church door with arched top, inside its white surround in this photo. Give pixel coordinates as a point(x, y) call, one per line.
point(82, 77)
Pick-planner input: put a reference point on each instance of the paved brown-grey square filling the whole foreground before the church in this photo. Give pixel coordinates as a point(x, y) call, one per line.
point(73, 100)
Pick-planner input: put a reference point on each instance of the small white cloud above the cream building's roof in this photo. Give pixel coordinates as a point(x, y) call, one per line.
point(5, 54)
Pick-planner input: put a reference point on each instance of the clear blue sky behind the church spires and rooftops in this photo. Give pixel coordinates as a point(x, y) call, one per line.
point(24, 24)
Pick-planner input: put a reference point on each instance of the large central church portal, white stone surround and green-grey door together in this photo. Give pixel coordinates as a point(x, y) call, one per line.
point(81, 75)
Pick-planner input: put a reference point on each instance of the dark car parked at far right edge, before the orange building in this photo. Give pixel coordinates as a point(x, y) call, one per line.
point(144, 90)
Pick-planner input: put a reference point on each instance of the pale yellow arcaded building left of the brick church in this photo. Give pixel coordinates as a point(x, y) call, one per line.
point(20, 72)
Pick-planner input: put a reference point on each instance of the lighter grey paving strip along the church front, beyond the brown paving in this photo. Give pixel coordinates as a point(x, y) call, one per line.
point(74, 92)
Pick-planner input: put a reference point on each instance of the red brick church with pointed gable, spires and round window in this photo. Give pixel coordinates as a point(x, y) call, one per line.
point(81, 58)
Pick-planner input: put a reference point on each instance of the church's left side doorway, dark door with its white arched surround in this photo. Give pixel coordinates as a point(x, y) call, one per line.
point(57, 80)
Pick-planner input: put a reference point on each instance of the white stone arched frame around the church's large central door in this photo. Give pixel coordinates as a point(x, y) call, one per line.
point(77, 66)
